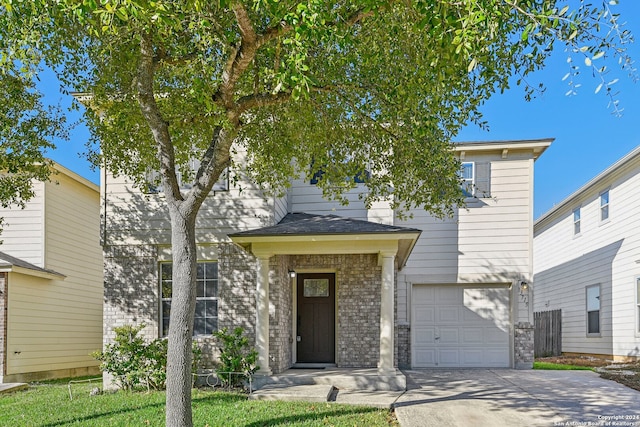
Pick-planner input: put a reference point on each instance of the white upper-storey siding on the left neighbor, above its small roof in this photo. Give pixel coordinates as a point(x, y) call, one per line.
point(23, 232)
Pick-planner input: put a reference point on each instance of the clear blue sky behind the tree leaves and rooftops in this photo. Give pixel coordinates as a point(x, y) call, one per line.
point(588, 137)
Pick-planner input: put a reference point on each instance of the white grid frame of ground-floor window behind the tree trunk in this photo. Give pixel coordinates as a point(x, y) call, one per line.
point(199, 282)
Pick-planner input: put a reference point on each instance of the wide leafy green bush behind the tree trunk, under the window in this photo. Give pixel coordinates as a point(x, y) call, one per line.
point(135, 363)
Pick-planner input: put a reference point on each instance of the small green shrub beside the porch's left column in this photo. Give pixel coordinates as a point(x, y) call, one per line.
point(235, 356)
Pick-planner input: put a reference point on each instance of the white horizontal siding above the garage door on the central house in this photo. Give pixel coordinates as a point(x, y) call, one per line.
point(487, 242)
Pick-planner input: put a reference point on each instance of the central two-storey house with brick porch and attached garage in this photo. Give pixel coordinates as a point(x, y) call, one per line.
point(315, 283)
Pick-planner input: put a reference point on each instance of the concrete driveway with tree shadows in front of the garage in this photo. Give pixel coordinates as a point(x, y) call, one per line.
point(482, 397)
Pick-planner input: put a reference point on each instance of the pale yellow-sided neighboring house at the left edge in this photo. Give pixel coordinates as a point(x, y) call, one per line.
point(51, 271)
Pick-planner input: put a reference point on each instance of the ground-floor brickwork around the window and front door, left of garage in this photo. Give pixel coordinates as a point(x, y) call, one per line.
point(132, 296)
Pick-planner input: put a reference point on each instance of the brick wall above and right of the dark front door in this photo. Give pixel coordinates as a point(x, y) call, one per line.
point(358, 282)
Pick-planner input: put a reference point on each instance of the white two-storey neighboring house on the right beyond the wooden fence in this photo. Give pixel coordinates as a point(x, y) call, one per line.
point(587, 263)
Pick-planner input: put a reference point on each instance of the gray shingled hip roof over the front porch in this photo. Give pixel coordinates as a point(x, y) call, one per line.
point(307, 224)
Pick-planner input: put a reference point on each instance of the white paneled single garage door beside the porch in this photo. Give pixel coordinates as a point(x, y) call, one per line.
point(460, 326)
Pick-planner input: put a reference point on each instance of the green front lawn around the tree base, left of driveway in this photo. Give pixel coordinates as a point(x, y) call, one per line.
point(49, 405)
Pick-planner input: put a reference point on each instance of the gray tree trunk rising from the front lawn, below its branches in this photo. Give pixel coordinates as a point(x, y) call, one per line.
point(183, 301)
